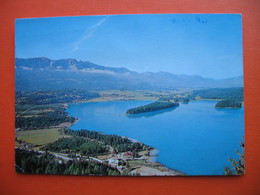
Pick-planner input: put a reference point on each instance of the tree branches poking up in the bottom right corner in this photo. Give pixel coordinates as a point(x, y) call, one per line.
point(238, 166)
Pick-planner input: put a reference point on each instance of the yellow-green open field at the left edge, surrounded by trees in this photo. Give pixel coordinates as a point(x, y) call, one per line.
point(41, 136)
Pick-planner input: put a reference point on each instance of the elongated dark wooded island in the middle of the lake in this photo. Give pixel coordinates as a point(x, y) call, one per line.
point(155, 106)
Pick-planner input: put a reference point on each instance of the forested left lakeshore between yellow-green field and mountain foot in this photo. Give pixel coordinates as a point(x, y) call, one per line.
point(45, 109)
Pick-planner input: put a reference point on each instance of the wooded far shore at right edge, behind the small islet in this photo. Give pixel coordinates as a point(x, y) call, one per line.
point(235, 94)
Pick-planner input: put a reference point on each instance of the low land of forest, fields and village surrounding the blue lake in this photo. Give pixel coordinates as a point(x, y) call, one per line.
point(46, 145)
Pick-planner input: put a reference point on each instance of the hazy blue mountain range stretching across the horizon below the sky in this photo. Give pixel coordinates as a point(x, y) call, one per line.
point(46, 74)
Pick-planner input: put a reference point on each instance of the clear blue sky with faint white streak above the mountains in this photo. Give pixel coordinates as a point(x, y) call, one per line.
point(209, 45)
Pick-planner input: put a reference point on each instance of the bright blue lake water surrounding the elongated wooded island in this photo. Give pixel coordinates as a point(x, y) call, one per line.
point(194, 138)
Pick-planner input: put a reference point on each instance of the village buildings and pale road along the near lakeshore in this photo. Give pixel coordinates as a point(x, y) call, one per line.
point(127, 163)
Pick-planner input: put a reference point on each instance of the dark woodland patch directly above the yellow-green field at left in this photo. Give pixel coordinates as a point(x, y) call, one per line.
point(46, 120)
